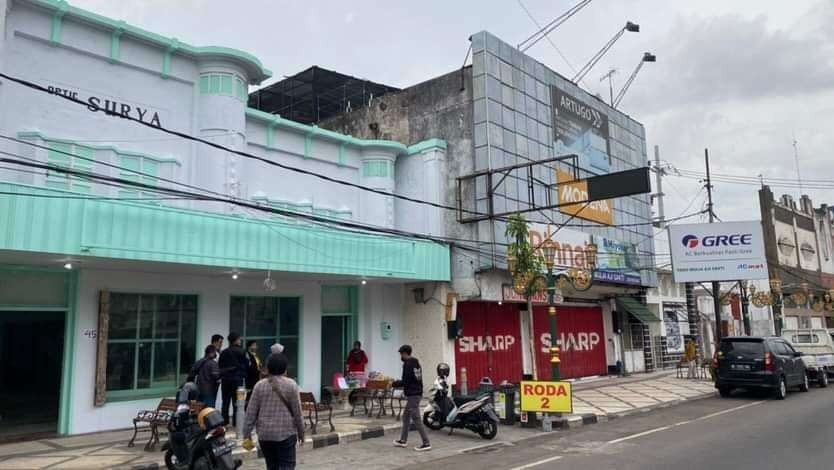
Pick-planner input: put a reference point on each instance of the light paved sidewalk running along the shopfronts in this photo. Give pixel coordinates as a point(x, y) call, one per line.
point(594, 400)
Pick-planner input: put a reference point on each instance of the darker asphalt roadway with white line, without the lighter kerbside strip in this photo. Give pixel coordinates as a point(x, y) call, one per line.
point(738, 433)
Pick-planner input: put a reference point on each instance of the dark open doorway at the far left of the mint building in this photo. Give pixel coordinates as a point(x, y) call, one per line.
point(31, 357)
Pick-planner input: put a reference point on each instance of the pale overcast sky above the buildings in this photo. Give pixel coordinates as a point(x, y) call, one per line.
point(741, 77)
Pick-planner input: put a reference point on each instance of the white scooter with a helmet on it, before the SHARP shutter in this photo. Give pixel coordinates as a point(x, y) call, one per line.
point(476, 415)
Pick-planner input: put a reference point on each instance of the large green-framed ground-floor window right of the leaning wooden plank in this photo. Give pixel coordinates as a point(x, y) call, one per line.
point(151, 343)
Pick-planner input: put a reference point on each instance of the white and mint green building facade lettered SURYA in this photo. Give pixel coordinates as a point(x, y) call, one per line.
point(121, 282)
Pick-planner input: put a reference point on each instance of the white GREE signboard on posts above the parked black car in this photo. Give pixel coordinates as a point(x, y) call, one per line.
point(727, 251)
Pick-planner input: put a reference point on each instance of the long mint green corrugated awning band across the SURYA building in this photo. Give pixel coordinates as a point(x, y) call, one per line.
point(107, 228)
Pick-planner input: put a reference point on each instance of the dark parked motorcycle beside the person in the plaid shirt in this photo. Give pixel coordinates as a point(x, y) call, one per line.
point(197, 441)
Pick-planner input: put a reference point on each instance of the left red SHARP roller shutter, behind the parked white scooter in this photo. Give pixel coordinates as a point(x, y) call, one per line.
point(490, 346)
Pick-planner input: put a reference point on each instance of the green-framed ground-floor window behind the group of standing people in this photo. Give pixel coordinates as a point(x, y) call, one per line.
point(268, 320)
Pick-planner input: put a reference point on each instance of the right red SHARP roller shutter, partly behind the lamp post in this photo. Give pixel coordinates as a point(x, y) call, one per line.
point(581, 341)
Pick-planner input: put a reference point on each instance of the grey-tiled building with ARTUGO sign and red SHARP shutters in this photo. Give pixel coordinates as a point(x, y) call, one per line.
point(508, 109)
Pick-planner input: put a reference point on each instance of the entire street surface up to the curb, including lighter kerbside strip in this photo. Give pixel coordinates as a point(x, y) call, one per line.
point(738, 433)
